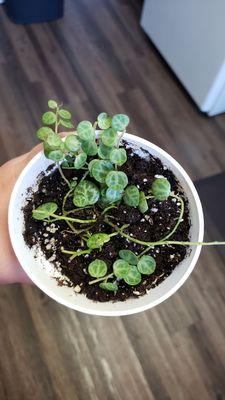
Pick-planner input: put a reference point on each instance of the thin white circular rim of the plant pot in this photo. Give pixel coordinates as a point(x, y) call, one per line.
point(130, 138)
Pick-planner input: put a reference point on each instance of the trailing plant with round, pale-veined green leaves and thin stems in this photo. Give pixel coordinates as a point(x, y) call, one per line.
point(99, 158)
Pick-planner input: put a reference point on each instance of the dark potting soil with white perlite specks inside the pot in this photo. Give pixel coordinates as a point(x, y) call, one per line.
point(141, 169)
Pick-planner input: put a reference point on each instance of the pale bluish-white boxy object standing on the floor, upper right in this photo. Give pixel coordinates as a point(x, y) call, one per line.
point(190, 34)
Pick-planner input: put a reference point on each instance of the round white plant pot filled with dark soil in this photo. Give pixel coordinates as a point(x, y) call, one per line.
point(38, 270)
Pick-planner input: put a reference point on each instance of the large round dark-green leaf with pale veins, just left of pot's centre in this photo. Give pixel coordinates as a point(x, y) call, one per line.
point(86, 193)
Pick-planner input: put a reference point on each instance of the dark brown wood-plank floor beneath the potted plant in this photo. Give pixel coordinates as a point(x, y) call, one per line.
point(98, 59)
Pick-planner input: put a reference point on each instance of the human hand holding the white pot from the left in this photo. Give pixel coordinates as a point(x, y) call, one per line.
point(10, 269)
